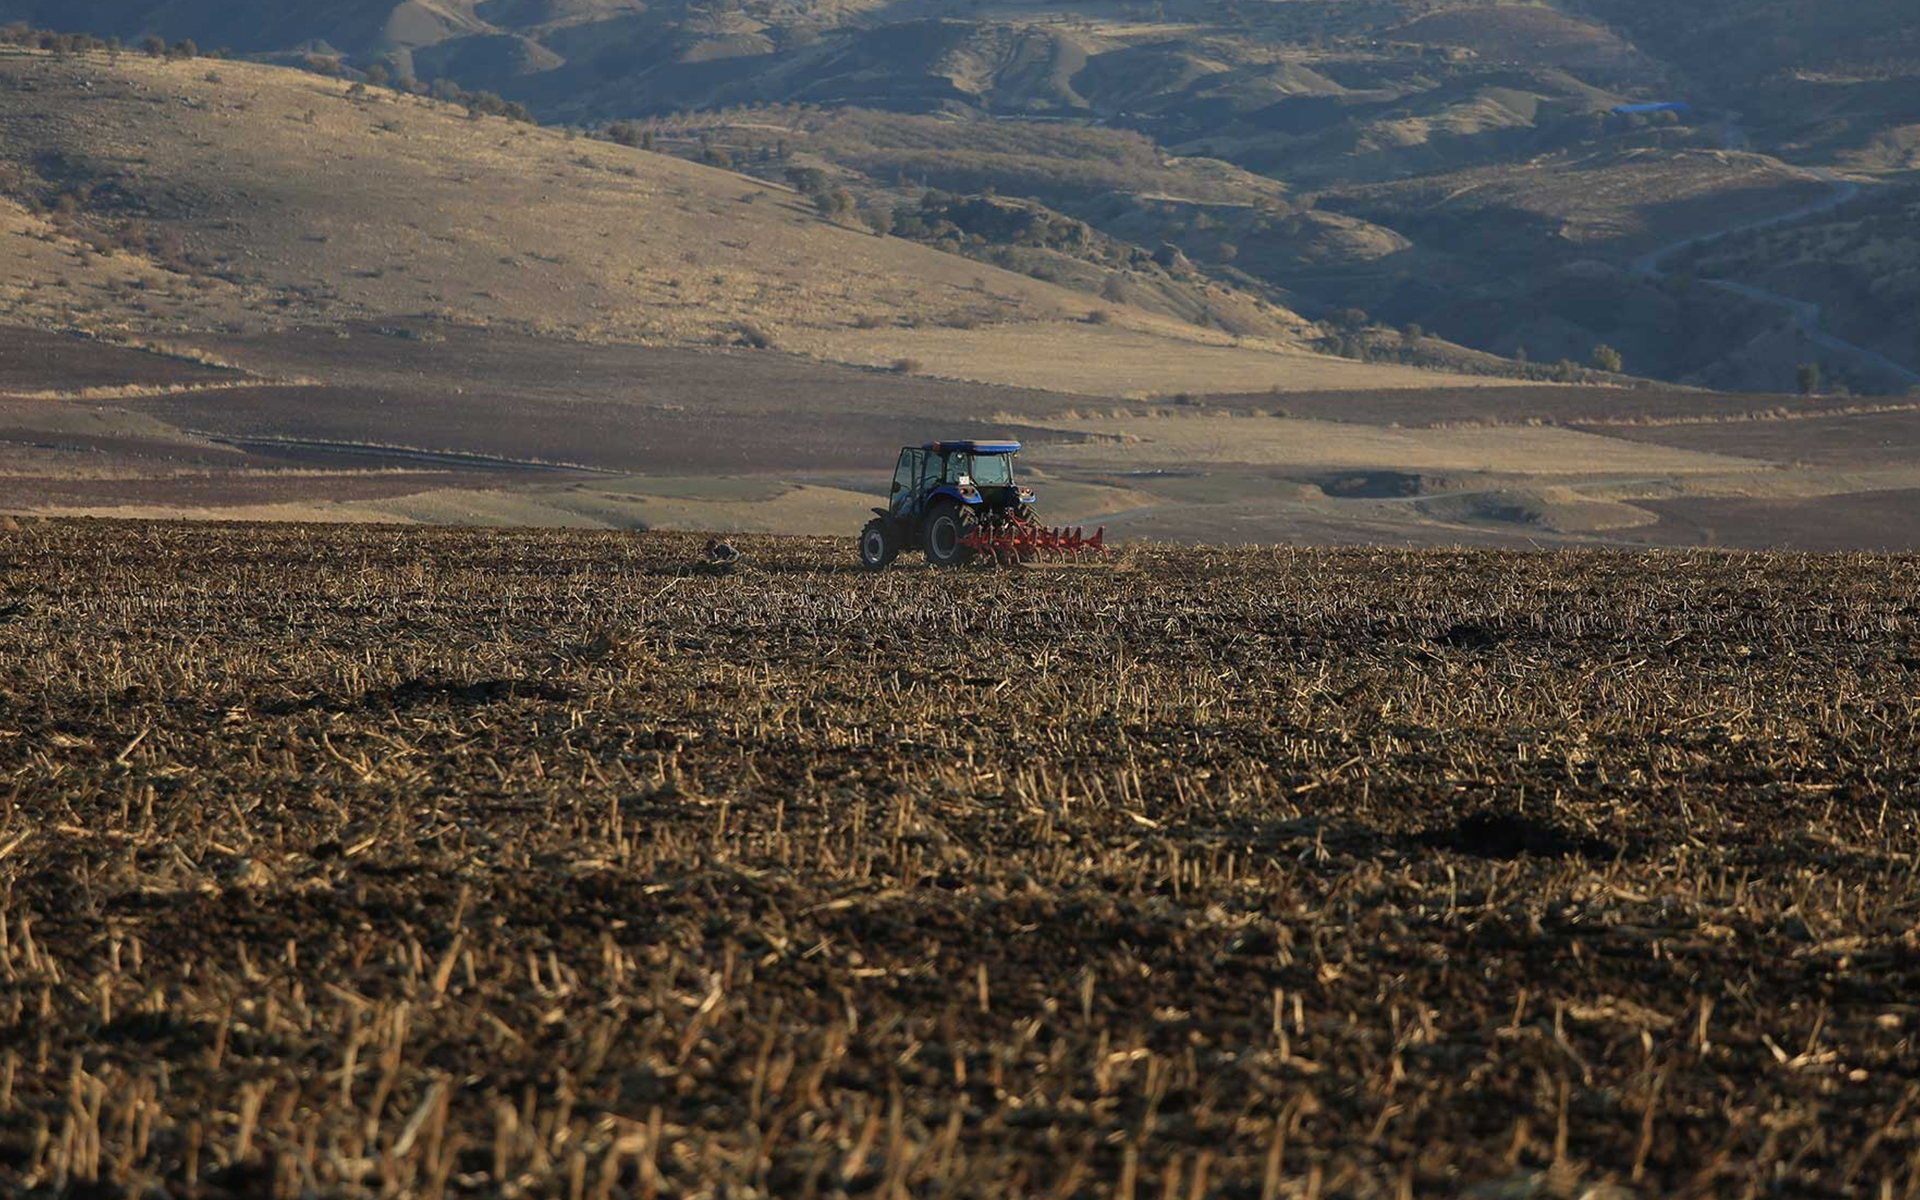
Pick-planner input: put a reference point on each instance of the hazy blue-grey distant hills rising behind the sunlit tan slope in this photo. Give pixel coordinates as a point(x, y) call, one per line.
point(1237, 135)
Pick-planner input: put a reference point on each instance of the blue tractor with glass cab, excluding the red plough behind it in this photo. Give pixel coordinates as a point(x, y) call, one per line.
point(951, 500)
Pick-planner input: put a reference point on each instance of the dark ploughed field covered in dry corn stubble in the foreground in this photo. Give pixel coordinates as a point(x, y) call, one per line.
point(381, 863)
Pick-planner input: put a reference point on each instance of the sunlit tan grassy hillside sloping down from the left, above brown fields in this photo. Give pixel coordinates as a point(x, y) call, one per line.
point(180, 199)
